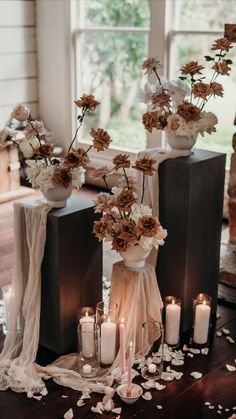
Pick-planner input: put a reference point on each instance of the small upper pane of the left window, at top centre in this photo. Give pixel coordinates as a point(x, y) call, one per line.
point(116, 12)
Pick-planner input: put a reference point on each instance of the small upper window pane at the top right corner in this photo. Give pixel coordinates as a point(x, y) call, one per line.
point(205, 14)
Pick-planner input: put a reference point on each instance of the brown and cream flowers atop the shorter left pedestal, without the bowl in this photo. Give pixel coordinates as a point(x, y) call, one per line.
point(45, 171)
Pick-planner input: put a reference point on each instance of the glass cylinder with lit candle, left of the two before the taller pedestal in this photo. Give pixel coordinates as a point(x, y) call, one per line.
point(172, 316)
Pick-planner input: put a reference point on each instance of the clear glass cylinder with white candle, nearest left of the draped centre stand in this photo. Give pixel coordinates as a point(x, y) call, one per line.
point(106, 317)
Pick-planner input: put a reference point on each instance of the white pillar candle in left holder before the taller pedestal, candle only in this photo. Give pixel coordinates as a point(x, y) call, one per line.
point(173, 312)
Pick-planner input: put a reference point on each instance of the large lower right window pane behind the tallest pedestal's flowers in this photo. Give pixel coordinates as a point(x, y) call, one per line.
point(193, 48)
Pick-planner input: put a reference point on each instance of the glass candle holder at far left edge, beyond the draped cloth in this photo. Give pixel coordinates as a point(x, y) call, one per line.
point(10, 321)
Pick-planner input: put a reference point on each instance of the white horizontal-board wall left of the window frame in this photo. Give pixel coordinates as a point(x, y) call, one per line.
point(18, 62)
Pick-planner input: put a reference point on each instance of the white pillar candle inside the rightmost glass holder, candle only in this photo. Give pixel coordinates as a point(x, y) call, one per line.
point(201, 323)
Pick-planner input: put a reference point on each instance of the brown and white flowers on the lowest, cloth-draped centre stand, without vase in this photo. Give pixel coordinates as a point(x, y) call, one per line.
point(124, 221)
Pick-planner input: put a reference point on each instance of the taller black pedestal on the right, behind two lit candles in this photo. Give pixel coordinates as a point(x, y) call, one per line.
point(191, 202)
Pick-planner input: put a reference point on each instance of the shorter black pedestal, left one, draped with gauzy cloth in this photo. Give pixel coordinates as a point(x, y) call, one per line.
point(71, 273)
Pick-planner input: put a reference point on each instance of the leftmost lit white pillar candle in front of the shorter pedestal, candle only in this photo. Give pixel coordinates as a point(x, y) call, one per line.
point(87, 329)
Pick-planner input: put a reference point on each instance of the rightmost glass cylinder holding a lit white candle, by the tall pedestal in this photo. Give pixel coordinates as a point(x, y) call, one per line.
point(201, 319)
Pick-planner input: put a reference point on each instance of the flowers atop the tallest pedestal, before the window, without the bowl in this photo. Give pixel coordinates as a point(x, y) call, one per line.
point(177, 106)
